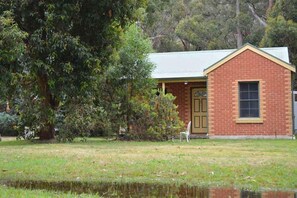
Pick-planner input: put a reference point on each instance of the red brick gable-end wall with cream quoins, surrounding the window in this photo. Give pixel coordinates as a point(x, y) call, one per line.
point(276, 105)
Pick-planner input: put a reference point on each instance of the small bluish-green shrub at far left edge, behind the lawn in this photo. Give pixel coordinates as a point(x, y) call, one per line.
point(8, 123)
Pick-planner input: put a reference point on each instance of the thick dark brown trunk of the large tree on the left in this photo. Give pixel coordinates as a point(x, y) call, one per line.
point(49, 105)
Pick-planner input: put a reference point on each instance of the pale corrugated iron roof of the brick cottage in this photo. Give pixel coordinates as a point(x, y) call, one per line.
point(191, 64)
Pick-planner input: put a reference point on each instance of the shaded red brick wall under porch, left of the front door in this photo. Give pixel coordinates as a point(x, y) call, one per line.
point(182, 92)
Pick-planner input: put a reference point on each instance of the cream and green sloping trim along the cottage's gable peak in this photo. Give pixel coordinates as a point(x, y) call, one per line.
point(253, 49)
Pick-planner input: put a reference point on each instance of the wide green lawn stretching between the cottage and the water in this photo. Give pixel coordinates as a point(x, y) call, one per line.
point(241, 163)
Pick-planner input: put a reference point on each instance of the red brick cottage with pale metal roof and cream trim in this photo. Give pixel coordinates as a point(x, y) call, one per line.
point(243, 93)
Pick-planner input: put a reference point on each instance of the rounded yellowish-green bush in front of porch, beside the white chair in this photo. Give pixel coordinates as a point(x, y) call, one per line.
point(155, 120)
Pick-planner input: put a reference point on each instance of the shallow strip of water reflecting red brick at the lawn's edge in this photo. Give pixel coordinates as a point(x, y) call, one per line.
point(146, 190)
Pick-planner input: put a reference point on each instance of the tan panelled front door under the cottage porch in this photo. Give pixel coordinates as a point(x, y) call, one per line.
point(199, 110)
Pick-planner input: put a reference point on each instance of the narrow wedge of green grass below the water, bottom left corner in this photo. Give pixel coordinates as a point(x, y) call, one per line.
point(23, 193)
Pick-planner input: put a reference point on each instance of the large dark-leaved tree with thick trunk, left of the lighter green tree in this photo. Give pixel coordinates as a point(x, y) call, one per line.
point(68, 44)
